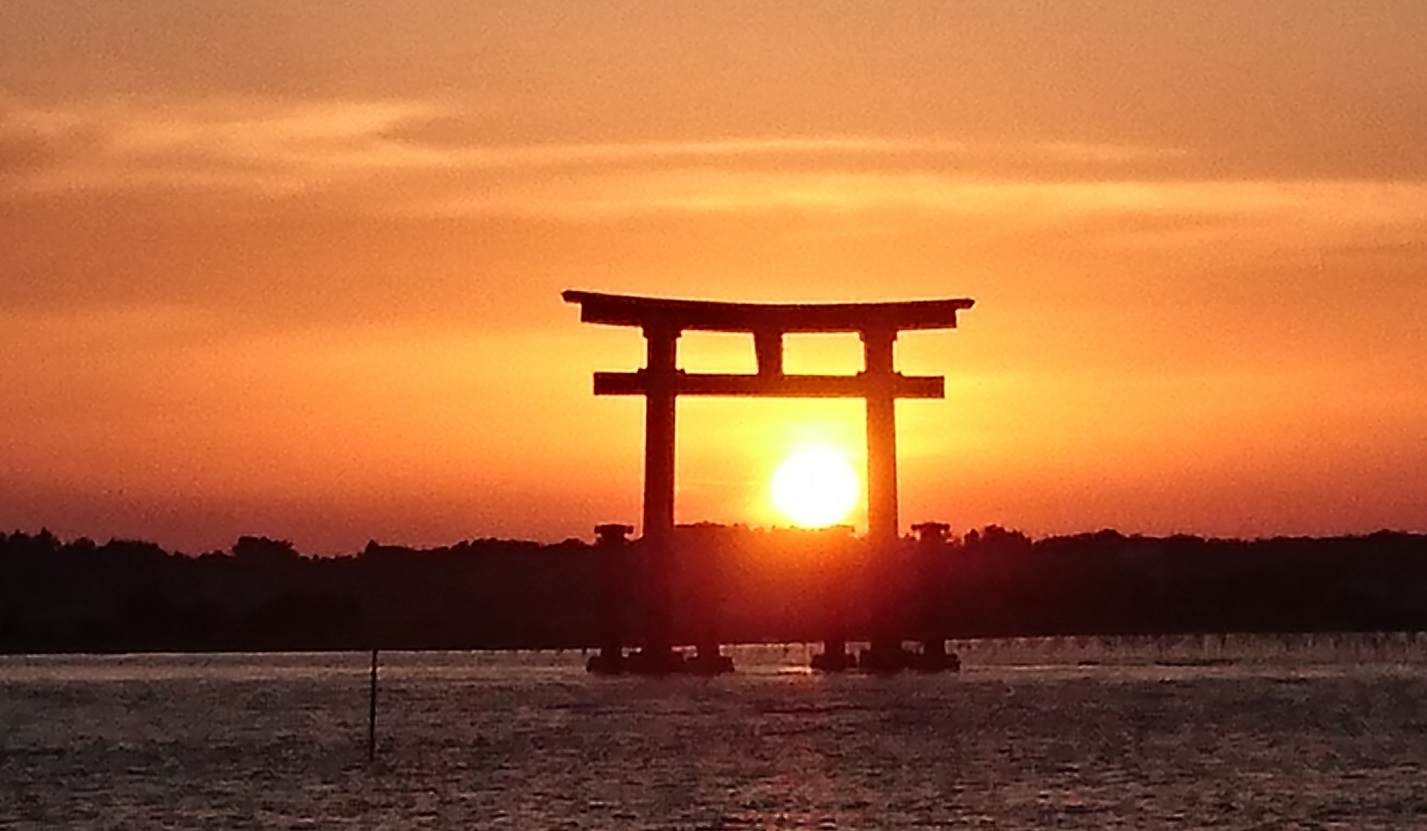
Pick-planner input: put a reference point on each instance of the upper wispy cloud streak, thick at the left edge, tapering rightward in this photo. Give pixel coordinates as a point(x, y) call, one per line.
point(283, 146)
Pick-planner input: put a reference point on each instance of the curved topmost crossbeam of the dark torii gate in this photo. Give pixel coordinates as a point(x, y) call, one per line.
point(766, 318)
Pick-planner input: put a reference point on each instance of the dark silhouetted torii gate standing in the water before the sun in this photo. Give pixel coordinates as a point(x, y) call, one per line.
point(661, 382)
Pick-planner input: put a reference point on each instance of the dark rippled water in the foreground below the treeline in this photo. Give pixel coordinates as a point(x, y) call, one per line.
point(1241, 733)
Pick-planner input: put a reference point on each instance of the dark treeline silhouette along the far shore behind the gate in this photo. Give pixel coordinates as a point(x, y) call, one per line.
point(747, 585)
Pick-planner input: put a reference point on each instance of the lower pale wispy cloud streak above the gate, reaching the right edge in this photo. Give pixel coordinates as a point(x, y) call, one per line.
point(1244, 209)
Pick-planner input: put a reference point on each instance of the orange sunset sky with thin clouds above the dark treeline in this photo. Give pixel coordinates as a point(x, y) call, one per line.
point(295, 269)
